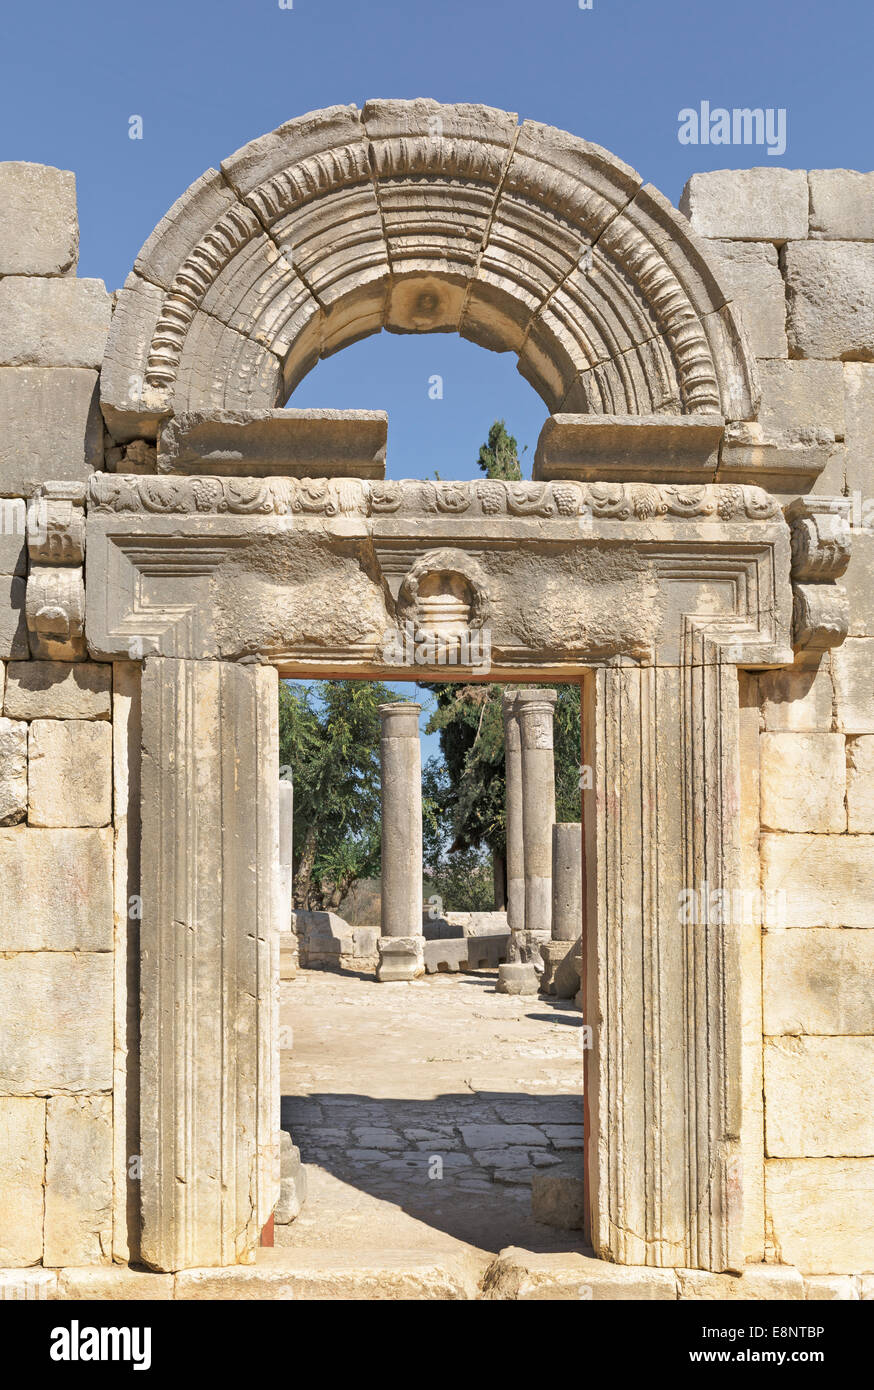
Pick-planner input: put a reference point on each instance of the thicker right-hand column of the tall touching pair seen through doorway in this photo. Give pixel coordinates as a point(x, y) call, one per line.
point(536, 719)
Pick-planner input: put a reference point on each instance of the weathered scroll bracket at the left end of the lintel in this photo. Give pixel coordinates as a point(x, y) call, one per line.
point(55, 601)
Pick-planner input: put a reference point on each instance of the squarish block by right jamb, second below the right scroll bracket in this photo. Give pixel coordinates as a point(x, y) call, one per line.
point(804, 782)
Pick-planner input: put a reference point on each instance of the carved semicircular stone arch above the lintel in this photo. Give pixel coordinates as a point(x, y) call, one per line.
point(419, 218)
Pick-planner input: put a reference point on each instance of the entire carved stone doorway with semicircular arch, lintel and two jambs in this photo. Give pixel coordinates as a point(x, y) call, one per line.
point(651, 589)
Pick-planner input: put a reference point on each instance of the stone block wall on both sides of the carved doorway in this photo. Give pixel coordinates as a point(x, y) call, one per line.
point(800, 255)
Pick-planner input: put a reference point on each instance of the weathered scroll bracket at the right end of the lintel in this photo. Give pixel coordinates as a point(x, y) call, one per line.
point(821, 557)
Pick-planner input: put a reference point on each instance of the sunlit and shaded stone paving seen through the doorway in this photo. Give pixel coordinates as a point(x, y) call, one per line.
point(422, 1111)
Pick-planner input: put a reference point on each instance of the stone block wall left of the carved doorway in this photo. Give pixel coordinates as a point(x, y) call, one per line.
point(58, 842)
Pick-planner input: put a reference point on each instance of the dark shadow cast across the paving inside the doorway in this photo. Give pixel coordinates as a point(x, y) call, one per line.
point(461, 1163)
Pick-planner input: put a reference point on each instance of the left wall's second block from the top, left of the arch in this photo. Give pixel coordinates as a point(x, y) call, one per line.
point(53, 323)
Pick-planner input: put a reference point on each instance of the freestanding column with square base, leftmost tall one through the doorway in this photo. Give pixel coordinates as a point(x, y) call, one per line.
point(402, 942)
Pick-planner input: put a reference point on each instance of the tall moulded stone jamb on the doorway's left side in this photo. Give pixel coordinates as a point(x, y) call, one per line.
point(209, 939)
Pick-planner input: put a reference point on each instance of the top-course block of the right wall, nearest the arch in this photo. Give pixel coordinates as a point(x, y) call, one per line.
point(759, 205)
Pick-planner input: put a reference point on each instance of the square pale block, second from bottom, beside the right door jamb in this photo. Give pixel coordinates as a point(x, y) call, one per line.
point(819, 1097)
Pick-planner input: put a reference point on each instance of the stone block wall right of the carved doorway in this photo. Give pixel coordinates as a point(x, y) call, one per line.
point(800, 254)
